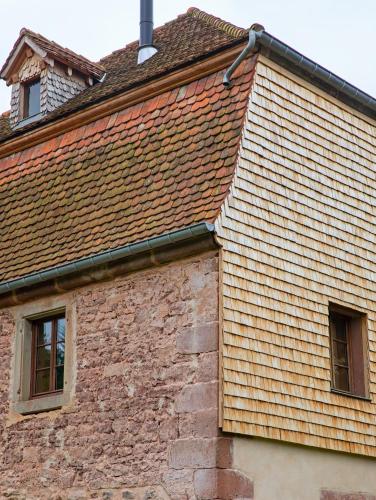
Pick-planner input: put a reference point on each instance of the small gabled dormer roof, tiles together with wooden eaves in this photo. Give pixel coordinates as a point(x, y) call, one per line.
point(47, 50)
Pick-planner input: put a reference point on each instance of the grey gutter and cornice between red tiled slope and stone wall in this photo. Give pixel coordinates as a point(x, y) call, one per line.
point(110, 263)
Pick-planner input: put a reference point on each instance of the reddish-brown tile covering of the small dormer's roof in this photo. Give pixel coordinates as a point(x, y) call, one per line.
point(59, 53)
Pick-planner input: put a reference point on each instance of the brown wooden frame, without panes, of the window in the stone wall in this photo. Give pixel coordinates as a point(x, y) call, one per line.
point(34, 350)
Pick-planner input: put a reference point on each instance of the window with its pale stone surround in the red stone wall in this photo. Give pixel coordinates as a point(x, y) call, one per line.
point(43, 362)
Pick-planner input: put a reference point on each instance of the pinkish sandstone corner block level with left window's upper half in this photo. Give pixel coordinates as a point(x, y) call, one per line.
point(198, 339)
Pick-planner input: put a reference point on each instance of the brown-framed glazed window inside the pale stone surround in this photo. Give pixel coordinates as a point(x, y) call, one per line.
point(48, 353)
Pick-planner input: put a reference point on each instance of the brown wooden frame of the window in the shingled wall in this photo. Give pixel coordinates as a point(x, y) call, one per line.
point(357, 351)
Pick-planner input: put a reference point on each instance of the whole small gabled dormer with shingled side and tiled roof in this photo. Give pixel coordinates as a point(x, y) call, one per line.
point(44, 76)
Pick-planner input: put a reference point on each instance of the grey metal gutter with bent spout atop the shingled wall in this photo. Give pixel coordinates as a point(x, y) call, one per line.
point(286, 56)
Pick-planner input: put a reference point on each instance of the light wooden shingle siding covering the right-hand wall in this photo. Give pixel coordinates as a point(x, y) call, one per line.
point(298, 231)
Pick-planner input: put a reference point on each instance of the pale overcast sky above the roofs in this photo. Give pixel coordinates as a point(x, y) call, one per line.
point(338, 34)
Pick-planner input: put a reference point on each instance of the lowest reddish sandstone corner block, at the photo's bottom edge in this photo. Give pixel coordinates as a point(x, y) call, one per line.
point(222, 484)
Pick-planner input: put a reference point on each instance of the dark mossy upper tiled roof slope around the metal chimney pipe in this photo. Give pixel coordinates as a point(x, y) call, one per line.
point(191, 36)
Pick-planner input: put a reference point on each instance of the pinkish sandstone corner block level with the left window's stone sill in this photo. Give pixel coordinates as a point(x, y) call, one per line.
point(196, 397)
